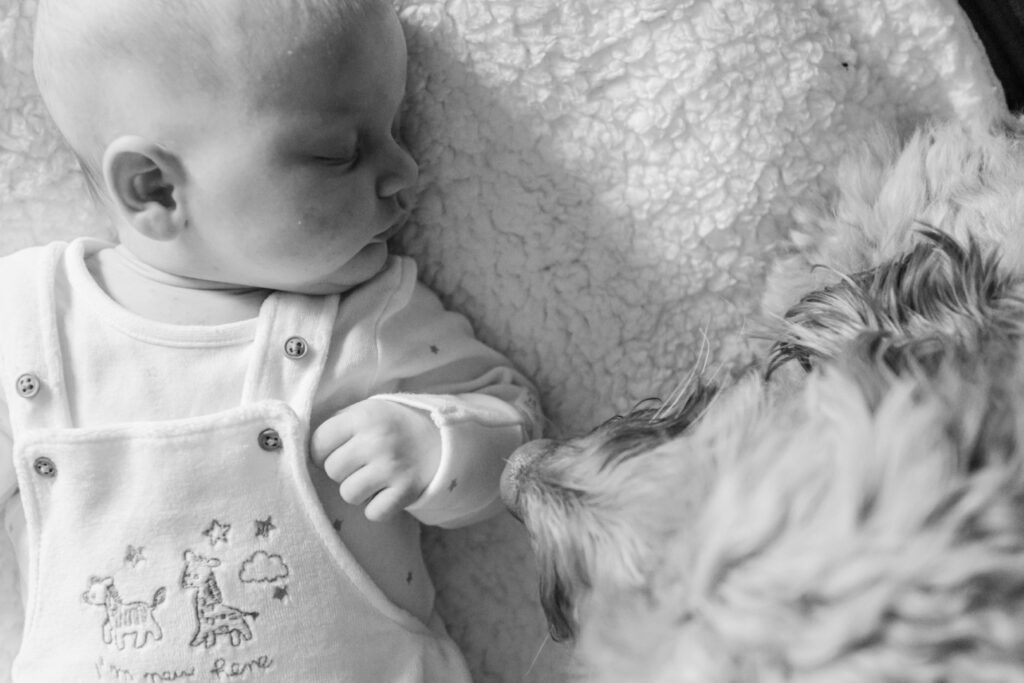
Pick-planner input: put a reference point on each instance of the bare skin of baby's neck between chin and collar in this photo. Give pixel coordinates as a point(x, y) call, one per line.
point(160, 296)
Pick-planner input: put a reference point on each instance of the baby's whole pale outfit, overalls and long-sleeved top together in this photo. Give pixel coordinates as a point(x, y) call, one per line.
point(174, 528)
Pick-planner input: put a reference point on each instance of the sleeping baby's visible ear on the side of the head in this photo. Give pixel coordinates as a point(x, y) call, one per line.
point(146, 185)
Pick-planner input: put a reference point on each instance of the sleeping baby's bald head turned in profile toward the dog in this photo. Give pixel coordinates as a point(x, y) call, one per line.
point(250, 143)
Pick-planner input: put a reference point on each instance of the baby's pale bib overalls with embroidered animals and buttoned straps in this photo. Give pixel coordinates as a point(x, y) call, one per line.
point(193, 549)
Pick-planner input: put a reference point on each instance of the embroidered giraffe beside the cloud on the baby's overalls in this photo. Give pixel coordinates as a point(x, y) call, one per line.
point(214, 617)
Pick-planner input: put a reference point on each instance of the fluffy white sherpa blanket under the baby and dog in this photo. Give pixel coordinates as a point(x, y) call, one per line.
point(605, 184)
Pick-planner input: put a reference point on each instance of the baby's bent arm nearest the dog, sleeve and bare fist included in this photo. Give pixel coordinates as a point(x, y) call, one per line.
point(461, 406)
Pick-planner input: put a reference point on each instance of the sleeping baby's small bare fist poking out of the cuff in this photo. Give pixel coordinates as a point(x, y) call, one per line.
point(382, 454)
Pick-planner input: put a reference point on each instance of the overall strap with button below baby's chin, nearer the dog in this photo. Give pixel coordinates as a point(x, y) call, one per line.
point(291, 350)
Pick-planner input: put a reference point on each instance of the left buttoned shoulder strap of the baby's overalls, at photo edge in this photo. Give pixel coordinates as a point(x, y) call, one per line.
point(32, 367)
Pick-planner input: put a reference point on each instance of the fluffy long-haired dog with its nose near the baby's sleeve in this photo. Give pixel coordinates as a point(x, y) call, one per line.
point(854, 509)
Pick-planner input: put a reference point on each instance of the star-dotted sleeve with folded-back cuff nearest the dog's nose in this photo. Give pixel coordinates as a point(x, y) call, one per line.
point(429, 359)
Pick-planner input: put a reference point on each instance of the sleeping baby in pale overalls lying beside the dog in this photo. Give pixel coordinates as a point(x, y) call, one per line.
point(223, 433)
